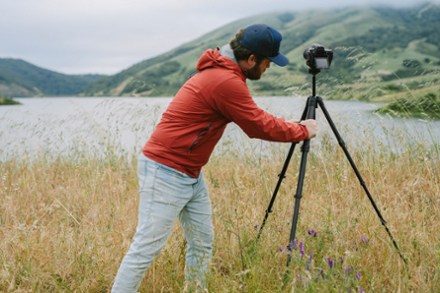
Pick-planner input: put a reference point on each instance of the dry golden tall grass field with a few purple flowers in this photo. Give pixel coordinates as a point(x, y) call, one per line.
point(65, 225)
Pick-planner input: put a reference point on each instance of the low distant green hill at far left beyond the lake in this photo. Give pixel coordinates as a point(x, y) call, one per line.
point(19, 78)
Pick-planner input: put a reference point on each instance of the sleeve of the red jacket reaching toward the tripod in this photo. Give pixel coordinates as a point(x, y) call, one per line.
point(233, 100)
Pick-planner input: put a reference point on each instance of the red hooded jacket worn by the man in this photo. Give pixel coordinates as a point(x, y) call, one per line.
point(195, 119)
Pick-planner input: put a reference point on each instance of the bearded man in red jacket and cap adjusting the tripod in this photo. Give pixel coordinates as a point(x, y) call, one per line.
point(170, 180)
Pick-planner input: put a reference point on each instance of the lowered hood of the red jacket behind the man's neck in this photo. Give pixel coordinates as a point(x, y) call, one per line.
point(213, 59)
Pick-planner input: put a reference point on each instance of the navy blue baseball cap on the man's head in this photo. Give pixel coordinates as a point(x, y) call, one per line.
point(264, 40)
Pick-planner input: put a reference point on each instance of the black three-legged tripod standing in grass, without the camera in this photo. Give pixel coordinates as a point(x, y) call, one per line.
point(309, 113)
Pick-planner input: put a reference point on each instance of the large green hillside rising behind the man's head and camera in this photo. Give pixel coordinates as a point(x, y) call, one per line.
point(378, 52)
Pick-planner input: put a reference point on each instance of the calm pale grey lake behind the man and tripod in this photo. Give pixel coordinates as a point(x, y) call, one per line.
point(71, 126)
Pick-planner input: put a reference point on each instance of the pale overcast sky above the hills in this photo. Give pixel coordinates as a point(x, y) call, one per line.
point(107, 36)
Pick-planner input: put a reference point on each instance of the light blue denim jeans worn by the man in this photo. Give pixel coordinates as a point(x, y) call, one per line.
point(165, 195)
